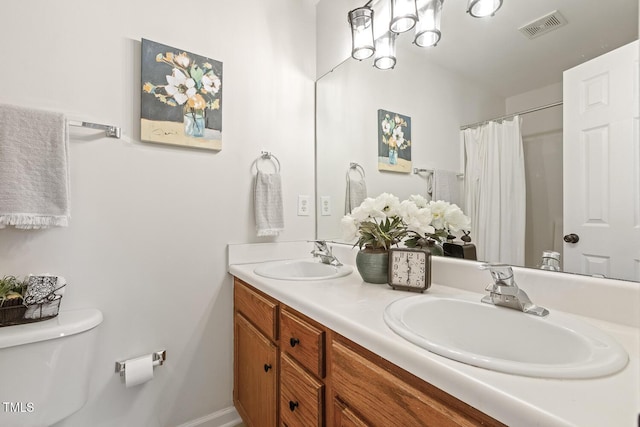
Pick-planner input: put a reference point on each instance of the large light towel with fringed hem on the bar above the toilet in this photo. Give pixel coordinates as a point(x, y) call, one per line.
point(34, 168)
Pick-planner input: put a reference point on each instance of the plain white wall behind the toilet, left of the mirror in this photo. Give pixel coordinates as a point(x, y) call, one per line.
point(150, 224)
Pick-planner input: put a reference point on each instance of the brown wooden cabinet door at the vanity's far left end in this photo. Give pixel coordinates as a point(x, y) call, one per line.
point(255, 389)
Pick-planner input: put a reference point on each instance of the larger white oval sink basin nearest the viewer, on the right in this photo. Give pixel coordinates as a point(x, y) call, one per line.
point(506, 340)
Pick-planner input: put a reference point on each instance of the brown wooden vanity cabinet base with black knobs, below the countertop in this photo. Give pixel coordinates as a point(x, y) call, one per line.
point(291, 371)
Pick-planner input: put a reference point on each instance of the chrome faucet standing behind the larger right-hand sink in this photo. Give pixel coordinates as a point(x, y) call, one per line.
point(505, 292)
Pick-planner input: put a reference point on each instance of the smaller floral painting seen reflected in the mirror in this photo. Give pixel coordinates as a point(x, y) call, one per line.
point(394, 142)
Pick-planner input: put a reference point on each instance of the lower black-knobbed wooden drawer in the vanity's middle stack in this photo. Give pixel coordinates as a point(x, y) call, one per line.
point(301, 396)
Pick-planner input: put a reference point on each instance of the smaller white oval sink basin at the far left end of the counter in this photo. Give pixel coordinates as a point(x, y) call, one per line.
point(301, 270)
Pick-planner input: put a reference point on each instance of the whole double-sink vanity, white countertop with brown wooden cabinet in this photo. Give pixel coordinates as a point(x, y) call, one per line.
point(315, 345)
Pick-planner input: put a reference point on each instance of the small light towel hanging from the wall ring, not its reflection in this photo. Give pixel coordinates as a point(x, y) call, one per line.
point(268, 204)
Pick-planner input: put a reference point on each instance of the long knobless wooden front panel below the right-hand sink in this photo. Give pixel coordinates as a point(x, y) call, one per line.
point(388, 400)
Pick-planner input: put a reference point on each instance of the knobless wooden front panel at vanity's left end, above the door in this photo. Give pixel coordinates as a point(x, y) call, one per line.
point(261, 311)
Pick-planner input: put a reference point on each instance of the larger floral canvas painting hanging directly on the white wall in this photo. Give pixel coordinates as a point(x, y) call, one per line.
point(181, 97)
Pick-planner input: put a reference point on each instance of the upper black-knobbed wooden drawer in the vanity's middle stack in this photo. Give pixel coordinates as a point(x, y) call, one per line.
point(303, 341)
